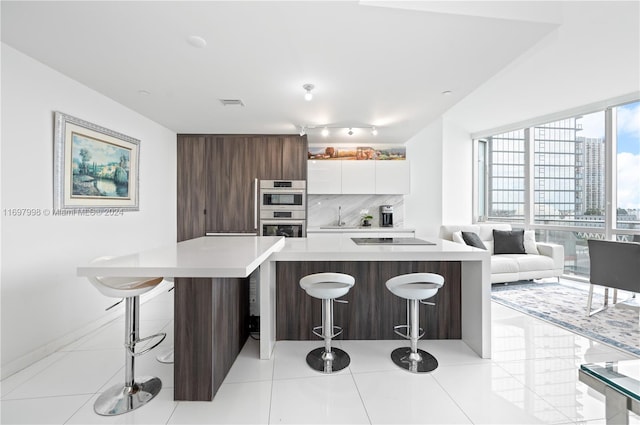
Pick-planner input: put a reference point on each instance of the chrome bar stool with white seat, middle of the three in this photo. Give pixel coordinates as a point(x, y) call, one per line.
point(327, 287)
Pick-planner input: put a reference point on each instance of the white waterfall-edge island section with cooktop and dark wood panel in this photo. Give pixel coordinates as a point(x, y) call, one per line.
point(463, 306)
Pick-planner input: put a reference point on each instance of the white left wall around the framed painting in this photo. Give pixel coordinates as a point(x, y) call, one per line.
point(44, 303)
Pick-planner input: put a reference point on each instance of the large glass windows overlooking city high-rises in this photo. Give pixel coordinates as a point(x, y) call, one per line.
point(570, 179)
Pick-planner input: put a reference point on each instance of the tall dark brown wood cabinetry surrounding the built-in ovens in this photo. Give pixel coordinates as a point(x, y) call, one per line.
point(219, 175)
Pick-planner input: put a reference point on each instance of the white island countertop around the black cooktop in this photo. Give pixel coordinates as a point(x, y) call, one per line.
point(341, 248)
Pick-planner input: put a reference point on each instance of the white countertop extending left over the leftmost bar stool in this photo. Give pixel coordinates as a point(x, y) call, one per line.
point(219, 256)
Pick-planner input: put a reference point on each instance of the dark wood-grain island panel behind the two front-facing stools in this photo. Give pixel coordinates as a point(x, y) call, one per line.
point(372, 310)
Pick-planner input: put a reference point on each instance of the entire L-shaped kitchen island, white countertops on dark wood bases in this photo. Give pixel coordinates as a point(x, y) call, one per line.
point(211, 293)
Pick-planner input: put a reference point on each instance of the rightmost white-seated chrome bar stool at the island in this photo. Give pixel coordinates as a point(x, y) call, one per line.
point(415, 288)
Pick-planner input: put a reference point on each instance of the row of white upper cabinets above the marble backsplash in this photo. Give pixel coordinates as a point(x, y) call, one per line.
point(358, 177)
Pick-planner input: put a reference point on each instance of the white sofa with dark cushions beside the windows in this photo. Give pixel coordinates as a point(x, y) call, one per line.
point(542, 260)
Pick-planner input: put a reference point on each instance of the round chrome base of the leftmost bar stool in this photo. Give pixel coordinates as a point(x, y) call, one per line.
point(120, 399)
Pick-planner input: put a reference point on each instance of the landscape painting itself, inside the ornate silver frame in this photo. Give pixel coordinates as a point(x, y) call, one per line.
point(99, 168)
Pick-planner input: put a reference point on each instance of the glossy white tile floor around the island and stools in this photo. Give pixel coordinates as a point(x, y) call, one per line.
point(531, 378)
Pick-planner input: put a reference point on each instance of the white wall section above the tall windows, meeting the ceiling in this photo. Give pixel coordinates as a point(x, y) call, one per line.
point(594, 55)
